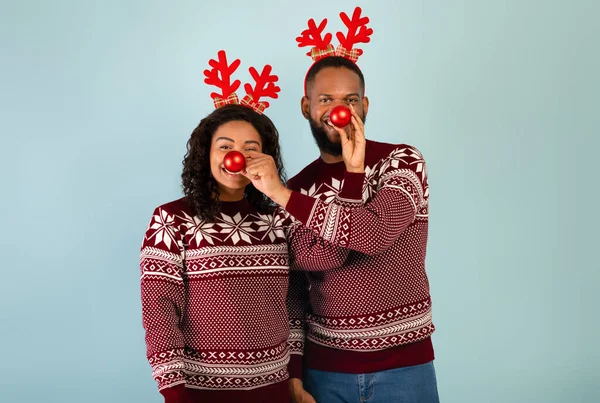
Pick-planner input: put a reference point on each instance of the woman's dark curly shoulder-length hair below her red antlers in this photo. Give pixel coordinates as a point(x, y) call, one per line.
point(199, 187)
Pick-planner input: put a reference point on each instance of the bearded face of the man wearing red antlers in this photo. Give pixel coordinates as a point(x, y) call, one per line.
point(332, 86)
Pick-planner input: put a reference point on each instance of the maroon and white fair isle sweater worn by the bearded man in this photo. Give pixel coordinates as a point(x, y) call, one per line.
point(372, 313)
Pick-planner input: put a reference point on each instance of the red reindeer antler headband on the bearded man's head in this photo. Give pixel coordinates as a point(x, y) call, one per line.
point(358, 32)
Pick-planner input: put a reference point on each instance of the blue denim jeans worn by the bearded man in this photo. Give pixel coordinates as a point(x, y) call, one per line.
point(402, 385)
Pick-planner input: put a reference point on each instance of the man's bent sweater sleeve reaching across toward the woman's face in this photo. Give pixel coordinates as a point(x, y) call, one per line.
point(402, 194)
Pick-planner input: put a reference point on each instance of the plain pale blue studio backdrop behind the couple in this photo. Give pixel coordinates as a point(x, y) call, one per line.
point(97, 101)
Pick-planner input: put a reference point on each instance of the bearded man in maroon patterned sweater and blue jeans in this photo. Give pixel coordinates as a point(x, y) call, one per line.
point(360, 332)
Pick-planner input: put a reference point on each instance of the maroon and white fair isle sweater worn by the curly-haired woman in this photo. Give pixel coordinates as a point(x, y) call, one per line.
point(214, 300)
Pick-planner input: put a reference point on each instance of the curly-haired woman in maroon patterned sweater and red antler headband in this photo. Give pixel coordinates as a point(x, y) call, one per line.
point(215, 266)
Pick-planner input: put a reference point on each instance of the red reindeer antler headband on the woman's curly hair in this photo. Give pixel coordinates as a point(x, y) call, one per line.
point(264, 84)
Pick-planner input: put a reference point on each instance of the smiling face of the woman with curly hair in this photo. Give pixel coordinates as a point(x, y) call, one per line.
point(239, 136)
